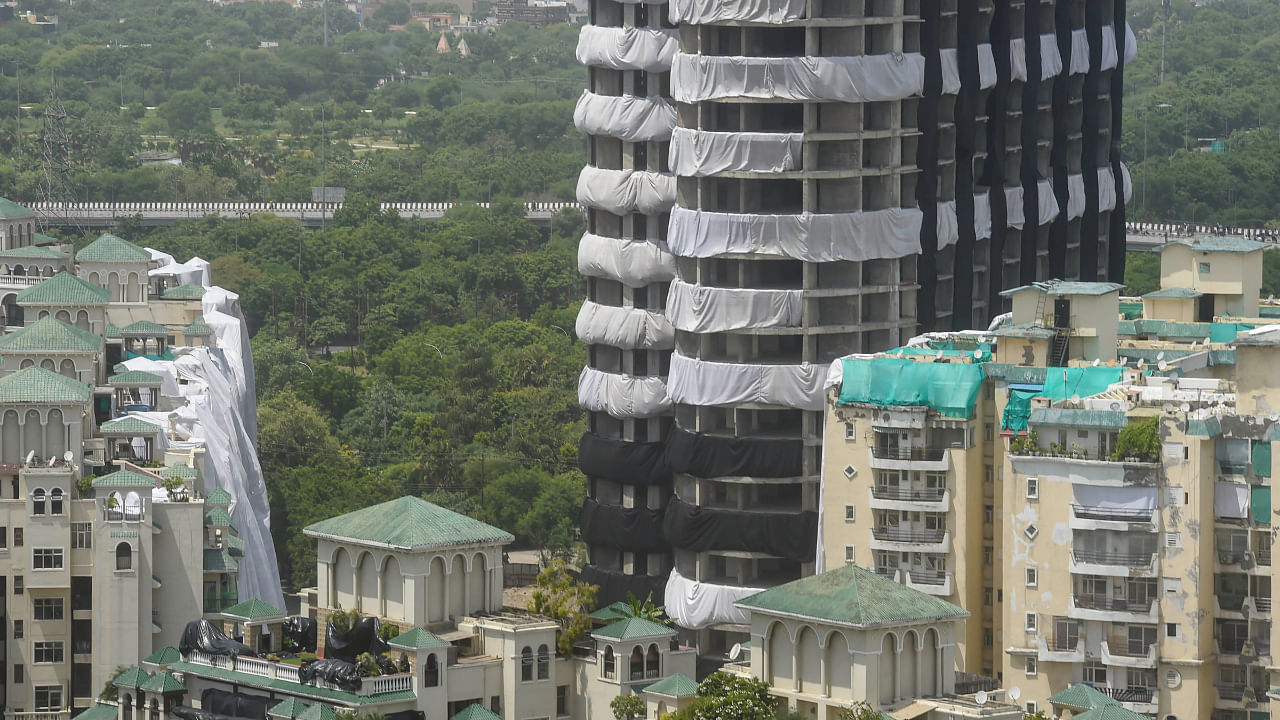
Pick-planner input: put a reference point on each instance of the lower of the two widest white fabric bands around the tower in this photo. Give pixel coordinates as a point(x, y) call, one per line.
point(806, 236)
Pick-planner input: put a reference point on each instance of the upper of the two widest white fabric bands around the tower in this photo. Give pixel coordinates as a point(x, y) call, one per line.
point(862, 79)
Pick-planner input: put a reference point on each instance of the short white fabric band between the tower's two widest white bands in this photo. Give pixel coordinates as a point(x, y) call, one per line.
point(696, 153)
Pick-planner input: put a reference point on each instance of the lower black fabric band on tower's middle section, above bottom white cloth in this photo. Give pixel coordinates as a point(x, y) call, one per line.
point(785, 535)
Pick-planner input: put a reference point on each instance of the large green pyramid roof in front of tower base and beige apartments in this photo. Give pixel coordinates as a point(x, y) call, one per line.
point(853, 596)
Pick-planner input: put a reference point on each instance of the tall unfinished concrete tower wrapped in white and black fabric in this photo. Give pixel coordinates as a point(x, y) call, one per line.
point(774, 185)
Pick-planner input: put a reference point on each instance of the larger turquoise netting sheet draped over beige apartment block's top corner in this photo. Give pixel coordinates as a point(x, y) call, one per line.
point(947, 389)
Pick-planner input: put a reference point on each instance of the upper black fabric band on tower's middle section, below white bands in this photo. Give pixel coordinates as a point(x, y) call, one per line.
point(708, 457)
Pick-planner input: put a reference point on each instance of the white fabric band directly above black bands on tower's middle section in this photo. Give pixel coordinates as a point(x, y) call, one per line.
point(701, 382)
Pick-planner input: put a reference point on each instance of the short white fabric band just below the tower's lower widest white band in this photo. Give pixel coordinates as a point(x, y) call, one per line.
point(700, 309)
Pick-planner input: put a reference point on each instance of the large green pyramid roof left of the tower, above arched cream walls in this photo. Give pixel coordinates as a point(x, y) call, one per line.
point(409, 523)
